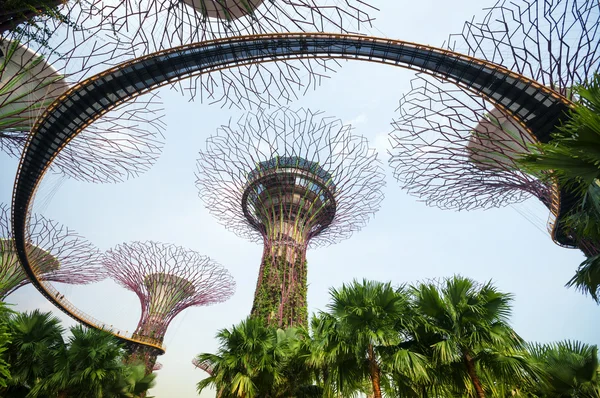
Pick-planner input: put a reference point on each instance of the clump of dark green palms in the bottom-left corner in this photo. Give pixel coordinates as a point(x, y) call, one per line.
point(89, 364)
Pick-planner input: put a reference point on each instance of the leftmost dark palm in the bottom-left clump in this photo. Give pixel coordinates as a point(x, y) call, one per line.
point(35, 337)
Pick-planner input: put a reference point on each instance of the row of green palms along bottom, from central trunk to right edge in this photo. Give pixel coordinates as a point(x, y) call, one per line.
point(434, 340)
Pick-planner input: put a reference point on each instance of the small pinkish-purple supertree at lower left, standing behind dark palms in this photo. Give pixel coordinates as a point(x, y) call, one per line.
point(167, 279)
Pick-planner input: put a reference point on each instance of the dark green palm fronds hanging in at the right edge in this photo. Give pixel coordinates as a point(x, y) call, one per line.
point(573, 158)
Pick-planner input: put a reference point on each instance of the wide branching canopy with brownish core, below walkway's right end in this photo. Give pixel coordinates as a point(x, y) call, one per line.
point(456, 151)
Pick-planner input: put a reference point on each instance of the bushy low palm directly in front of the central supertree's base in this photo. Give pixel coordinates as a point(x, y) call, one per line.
point(252, 361)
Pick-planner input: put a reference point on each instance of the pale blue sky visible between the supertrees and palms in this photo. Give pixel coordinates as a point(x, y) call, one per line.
point(405, 242)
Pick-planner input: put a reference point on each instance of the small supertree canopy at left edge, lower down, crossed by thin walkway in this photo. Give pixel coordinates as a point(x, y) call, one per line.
point(58, 255)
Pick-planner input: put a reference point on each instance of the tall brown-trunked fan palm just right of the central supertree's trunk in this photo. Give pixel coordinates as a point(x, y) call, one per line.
point(372, 317)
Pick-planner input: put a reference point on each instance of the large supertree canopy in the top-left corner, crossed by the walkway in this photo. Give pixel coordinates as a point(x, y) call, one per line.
point(39, 61)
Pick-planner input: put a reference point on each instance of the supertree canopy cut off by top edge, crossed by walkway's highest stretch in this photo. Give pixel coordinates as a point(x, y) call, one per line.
point(160, 24)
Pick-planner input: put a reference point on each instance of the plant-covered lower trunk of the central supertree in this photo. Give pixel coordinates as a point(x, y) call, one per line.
point(280, 297)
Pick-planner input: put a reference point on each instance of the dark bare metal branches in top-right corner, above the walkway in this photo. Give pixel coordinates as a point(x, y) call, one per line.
point(555, 42)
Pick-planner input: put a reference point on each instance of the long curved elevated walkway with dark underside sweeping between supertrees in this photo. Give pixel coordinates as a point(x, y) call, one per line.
point(534, 106)
